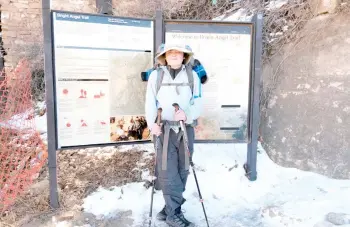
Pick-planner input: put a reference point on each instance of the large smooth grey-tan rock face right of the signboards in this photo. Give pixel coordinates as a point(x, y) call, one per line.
point(306, 124)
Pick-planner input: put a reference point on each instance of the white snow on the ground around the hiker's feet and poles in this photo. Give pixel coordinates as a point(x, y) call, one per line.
point(279, 197)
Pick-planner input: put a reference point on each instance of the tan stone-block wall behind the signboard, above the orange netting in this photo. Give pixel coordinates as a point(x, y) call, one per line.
point(22, 25)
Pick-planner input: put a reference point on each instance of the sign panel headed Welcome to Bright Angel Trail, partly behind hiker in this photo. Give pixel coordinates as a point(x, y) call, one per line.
point(225, 51)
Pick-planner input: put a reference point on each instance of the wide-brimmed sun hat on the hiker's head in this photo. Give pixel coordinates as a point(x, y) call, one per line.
point(163, 48)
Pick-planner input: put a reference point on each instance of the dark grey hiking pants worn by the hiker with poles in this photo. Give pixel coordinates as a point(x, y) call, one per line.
point(172, 181)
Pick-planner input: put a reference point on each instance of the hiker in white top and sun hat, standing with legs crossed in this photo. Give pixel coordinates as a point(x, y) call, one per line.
point(167, 85)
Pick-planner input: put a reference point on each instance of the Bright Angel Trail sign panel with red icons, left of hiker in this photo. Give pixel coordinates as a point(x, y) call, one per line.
point(97, 63)
